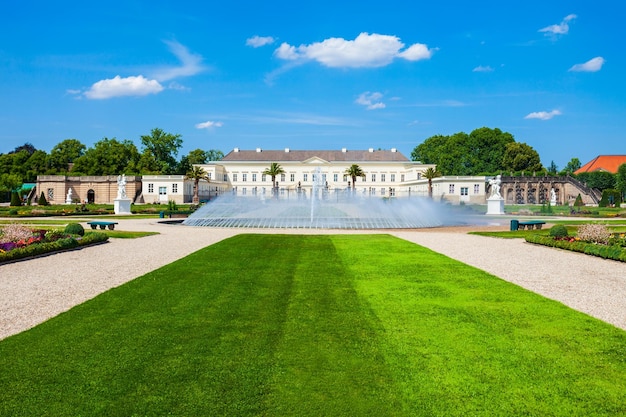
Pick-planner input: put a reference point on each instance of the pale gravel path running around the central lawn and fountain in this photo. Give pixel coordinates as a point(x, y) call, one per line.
point(33, 291)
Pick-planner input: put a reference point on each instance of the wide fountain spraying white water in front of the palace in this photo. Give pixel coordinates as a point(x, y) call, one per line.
point(322, 209)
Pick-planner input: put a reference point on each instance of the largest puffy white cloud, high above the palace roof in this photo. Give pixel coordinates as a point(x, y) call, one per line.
point(365, 51)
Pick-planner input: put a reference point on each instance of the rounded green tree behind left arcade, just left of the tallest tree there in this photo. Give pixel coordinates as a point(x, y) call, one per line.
point(109, 157)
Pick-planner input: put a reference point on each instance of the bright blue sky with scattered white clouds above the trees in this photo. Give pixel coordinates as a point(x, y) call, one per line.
point(315, 75)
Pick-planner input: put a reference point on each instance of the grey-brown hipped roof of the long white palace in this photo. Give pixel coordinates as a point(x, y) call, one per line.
point(330, 156)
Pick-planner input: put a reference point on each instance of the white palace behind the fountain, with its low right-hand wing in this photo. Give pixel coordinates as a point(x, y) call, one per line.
point(388, 173)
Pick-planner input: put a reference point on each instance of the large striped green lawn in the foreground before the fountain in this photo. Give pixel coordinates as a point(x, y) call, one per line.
point(279, 325)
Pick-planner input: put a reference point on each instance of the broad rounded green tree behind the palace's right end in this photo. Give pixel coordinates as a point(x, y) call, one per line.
point(480, 152)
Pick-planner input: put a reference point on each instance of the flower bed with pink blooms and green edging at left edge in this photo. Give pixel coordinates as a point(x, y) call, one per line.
point(19, 242)
